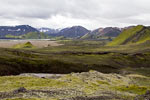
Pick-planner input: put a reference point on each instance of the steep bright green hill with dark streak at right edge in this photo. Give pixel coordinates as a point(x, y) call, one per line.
point(137, 34)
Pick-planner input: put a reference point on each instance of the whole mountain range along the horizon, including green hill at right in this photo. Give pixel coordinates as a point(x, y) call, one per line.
point(127, 35)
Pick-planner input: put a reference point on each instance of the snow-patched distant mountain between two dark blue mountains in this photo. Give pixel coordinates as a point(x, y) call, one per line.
point(48, 31)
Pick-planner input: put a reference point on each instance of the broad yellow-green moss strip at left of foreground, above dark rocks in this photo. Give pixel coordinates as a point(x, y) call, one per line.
point(12, 83)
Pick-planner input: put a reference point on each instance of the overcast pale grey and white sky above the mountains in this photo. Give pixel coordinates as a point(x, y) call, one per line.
point(91, 14)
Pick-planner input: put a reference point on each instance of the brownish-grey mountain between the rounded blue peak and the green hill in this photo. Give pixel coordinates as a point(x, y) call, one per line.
point(103, 32)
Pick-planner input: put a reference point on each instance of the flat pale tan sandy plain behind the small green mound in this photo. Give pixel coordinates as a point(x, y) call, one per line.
point(37, 43)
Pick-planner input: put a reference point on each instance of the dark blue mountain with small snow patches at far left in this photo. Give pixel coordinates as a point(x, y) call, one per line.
point(16, 30)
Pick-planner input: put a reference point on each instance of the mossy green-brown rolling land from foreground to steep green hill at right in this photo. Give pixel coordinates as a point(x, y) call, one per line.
point(87, 69)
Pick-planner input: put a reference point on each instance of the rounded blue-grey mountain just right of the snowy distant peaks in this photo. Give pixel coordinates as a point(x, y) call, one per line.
point(72, 32)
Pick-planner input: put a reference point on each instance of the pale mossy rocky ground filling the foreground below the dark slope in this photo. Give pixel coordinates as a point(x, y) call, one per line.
point(90, 85)
